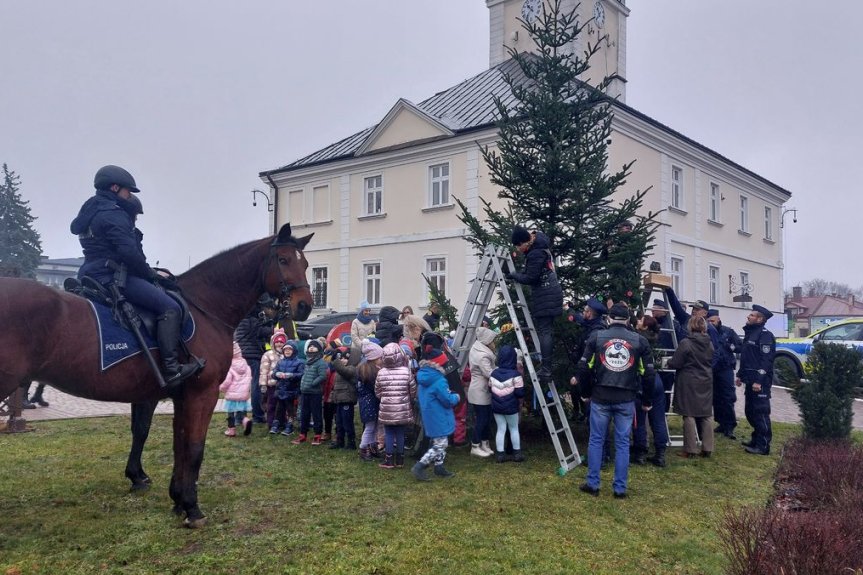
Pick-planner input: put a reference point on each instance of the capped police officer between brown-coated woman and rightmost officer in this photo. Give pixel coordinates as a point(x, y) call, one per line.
point(724, 395)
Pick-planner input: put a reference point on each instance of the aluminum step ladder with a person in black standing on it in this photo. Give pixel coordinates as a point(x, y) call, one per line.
point(489, 280)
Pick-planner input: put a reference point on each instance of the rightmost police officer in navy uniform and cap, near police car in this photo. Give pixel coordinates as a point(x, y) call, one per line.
point(756, 373)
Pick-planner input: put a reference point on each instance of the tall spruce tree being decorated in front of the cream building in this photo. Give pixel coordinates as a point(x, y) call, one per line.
point(550, 163)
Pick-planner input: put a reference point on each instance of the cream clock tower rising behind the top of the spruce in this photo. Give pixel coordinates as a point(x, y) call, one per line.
point(607, 26)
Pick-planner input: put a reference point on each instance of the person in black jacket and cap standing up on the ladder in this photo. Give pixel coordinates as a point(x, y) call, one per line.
point(546, 295)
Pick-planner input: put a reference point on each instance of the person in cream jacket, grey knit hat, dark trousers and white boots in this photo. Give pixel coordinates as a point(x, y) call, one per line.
point(481, 359)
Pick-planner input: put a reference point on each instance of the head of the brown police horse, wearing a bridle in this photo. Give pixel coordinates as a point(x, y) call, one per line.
point(285, 274)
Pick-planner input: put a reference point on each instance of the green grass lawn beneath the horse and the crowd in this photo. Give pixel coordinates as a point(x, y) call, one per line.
point(65, 507)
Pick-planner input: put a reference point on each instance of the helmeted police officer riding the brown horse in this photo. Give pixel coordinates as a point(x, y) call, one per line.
point(105, 226)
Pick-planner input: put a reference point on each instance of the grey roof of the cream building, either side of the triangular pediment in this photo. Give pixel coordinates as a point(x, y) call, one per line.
point(466, 106)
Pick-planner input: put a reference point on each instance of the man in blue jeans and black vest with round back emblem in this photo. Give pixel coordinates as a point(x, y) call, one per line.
point(623, 365)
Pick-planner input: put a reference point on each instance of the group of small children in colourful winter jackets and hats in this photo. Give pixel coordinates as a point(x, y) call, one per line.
point(388, 383)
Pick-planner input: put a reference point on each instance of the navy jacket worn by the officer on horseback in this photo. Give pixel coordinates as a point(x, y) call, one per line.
point(106, 230)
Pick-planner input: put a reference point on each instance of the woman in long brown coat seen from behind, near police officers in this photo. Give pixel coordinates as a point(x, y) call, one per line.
point(693, 388)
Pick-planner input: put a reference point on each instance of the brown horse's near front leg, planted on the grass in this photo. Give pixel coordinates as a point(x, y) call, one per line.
point(193, 424)
